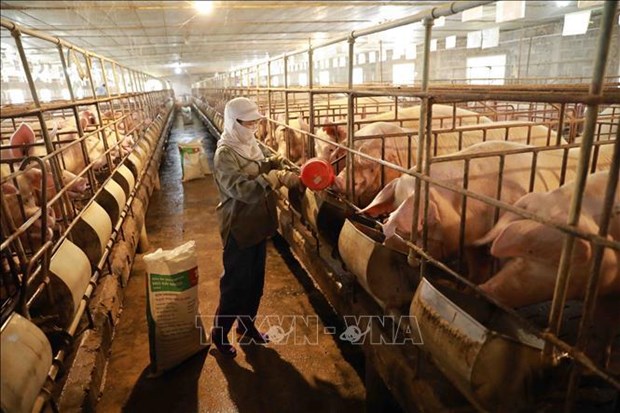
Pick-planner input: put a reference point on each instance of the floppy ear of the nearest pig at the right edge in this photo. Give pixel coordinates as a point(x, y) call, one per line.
point(526, 238)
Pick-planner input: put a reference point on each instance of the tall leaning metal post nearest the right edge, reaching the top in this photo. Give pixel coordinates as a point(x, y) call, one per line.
point(559, 294)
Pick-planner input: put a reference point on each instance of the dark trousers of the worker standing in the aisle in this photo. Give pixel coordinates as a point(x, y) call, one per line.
point(241, 285)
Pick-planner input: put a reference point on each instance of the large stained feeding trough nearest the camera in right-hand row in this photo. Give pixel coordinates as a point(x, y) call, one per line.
point(485, 353)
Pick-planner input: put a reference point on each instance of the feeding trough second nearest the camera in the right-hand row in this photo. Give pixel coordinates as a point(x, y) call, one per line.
point(382, 271)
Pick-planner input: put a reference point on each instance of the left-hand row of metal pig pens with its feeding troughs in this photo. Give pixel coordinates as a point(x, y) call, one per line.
point(77, 175)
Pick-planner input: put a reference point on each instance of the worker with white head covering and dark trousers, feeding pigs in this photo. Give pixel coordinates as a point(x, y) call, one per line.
point(246, 180)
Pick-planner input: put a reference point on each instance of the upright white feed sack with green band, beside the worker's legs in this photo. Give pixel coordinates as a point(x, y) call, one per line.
point(175, 328)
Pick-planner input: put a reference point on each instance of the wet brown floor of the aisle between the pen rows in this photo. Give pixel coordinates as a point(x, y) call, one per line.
point(276, 377)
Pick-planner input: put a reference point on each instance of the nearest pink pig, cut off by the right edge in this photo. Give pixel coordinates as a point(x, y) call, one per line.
point(533, 250)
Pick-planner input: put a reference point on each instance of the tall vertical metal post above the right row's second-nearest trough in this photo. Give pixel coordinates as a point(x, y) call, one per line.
point(422, 140)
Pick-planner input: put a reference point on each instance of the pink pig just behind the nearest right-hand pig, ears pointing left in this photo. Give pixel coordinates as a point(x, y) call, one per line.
point(444, 213)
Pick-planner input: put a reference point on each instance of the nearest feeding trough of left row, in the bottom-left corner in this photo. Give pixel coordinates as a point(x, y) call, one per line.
point(26, 356)
